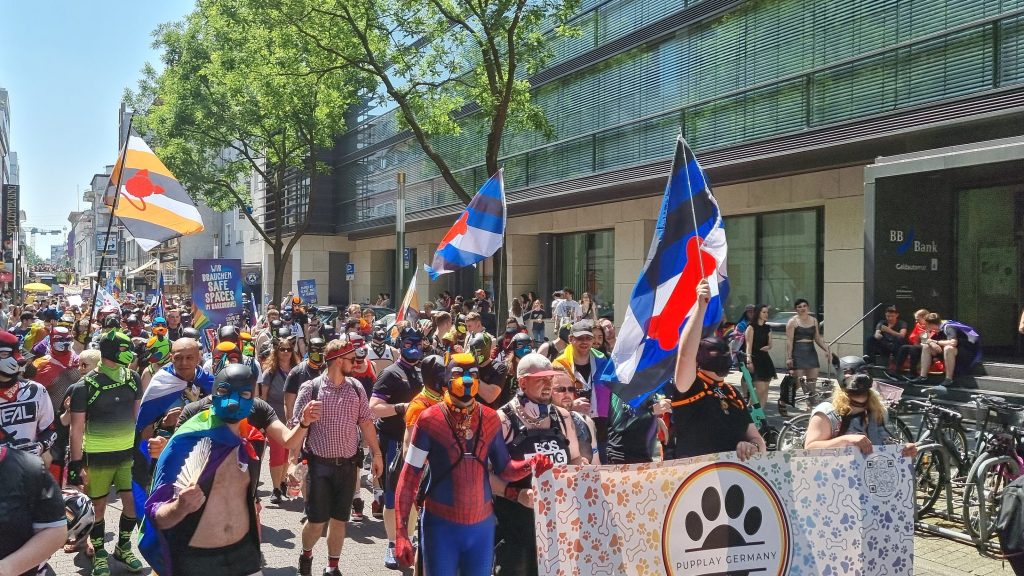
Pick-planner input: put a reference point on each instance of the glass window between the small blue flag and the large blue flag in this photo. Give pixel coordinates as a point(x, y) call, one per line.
point(586, 263)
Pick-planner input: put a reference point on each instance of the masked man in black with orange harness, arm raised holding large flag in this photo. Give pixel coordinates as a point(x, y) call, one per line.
point(708, 416)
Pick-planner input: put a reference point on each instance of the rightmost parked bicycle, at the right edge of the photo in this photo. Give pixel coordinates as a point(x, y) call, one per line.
point(997, 466)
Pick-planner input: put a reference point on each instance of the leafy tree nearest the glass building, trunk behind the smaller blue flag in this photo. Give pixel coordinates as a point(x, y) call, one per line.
point(446, 64)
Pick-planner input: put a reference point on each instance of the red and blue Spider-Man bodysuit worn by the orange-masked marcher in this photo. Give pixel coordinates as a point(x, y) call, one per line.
point(458, 522)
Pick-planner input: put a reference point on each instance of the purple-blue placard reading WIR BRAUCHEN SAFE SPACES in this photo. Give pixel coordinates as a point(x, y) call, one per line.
point(217, 294)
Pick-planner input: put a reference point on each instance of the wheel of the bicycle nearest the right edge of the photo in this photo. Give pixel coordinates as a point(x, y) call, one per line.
point(984, 497)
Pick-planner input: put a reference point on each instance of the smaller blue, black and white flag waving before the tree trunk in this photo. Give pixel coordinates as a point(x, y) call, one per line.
point(478, 234)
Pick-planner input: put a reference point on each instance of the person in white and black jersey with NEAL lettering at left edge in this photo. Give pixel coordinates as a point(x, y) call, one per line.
point(26, 410)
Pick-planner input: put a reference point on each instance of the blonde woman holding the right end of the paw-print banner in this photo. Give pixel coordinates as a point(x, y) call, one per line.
point(856, 417)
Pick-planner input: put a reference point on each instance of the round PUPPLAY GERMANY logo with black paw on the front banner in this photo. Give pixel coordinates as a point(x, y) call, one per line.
point(727, 519)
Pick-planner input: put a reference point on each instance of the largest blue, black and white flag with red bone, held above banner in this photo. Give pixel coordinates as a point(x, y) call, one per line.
point(690, 243)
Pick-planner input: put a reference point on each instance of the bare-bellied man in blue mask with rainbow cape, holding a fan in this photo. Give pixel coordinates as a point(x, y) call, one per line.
point(201, 518)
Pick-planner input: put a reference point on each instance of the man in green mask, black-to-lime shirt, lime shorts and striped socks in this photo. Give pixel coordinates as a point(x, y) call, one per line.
point(104, 407)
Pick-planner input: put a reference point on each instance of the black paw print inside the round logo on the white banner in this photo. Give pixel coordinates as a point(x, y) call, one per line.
point(724, 536)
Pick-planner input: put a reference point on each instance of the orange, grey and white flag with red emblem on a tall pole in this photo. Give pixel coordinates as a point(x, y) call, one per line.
point(153, 205)
